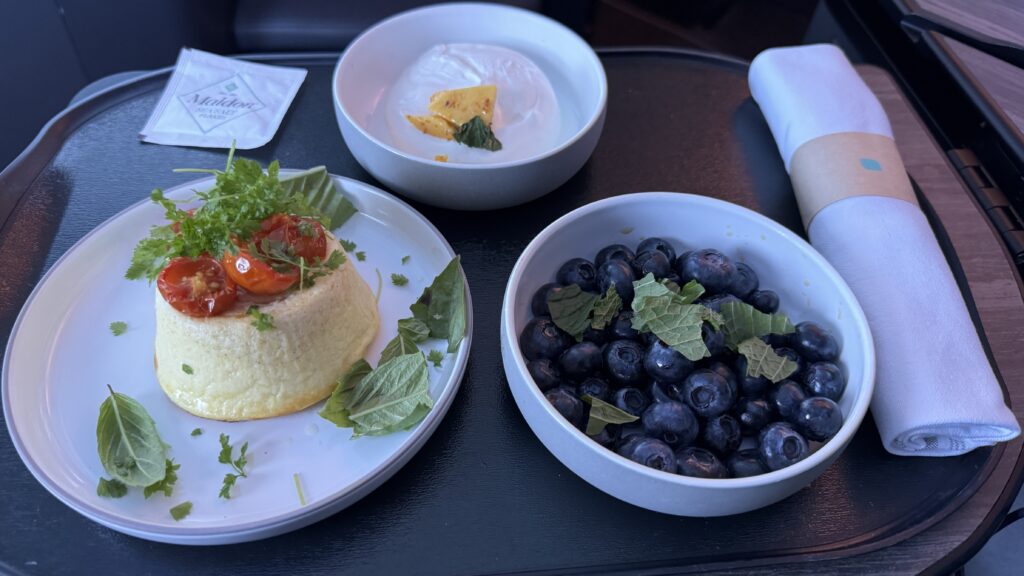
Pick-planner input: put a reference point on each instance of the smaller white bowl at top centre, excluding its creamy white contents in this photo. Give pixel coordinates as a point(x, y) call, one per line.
point(374, 61)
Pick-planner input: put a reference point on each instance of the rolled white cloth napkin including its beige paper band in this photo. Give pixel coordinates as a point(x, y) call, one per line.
point(936, 394)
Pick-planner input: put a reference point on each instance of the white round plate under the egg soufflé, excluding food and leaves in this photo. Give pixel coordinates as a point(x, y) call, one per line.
point(62, 355)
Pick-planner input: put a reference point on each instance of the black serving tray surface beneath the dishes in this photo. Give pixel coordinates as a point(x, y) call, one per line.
point(483, 497)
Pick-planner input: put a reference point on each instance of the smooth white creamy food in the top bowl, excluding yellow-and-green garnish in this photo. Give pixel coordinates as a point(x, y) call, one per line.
point(527, 118)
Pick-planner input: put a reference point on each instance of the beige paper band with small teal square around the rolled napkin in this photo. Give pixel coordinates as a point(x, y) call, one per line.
point(833, 168)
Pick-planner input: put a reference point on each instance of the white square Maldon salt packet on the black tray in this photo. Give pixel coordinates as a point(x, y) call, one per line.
point(212, 102)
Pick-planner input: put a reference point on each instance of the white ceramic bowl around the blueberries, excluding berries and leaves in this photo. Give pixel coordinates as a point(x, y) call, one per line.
point(809, 290)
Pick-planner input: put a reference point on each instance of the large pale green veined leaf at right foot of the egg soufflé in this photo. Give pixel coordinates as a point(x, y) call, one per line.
point(391, 396)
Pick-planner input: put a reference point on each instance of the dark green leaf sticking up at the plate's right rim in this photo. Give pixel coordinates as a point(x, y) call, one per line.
point(443, 306)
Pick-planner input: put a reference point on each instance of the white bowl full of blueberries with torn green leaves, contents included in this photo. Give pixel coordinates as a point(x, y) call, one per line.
point(685, 354)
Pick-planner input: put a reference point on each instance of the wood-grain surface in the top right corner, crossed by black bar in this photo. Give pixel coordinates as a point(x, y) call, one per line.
point(1000, 19)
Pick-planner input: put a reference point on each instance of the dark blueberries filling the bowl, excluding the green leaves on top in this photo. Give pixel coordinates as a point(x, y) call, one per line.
point(707, 419)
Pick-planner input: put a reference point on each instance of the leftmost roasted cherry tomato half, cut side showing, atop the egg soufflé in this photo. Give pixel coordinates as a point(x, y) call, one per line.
point(197, 286)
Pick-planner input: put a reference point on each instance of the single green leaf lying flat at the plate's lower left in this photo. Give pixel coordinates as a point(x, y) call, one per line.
point(130, 446)
